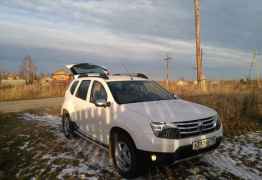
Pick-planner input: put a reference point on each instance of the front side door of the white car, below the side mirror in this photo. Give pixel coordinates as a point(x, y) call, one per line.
point(99, 114)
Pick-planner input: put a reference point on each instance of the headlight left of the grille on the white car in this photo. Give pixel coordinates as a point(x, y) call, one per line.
point(164, 130)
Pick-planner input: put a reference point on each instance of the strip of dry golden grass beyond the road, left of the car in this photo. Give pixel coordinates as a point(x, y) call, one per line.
point(31, 92)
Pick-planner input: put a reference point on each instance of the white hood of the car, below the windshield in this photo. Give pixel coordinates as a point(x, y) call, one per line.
point(170, 110)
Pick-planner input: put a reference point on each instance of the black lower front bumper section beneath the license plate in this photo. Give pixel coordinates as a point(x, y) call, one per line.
point(182, 153)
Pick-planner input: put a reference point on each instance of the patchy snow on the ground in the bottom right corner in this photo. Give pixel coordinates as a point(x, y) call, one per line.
point(240, 156)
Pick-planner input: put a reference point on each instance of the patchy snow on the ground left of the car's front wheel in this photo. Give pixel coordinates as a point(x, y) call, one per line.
point(88, 160)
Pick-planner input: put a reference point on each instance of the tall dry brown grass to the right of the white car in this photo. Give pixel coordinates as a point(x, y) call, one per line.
point(239, 105)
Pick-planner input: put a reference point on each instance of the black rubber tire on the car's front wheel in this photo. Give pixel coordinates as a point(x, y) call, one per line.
point(138, 164)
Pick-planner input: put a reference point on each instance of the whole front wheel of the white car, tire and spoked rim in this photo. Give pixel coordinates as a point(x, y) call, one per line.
point(126, 157)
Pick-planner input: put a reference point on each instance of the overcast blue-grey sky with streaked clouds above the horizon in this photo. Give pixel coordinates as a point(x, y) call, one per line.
point(136, 33)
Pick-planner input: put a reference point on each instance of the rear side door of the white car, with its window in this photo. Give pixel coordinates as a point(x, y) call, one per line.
point(82, 106)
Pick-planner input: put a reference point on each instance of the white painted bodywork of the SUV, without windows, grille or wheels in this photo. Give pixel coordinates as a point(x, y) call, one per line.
point(134, 118)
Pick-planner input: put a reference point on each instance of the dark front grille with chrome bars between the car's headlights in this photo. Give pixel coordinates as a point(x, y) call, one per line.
point(196, 127)
